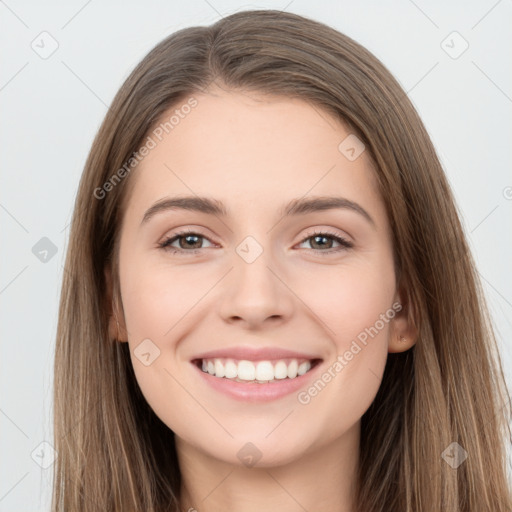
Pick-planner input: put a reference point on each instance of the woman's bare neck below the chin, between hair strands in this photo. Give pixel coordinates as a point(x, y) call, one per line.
point(324, 479)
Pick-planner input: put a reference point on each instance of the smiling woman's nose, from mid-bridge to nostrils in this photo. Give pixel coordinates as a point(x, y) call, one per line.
point(255, 294)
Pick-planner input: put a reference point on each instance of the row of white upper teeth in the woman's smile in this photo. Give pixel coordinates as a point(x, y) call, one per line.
point(263, 371)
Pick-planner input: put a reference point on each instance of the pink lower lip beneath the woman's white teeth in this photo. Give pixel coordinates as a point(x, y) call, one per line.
point(254, 391)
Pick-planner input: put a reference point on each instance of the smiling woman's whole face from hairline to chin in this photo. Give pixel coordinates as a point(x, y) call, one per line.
point(255, 283)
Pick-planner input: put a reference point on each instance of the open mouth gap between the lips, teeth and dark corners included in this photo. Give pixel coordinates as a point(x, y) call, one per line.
point(256, 372)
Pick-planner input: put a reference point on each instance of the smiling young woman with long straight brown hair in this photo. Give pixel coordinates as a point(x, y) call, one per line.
point(269, 301)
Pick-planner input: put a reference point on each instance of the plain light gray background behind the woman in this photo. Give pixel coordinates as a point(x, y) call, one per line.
point(51, 108)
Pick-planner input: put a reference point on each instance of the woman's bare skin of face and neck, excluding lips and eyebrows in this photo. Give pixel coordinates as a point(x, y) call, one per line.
point(254, 153)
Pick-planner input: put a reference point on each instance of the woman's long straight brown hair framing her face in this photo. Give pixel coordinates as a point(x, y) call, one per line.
point(114, 454)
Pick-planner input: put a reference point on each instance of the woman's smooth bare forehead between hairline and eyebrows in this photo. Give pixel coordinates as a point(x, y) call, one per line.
point(249, 150)
